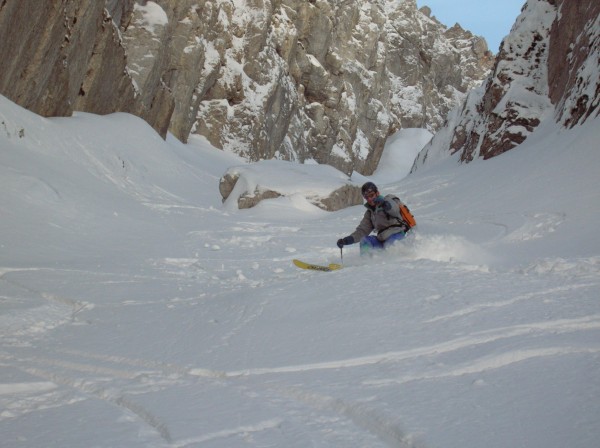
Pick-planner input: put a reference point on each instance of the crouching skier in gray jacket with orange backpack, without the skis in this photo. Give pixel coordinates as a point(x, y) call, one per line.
point(383, 216)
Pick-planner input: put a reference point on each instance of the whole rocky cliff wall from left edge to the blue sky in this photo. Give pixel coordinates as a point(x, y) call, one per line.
point(290, 79)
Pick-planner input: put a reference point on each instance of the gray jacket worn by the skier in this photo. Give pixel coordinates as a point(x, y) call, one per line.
point(377, 219)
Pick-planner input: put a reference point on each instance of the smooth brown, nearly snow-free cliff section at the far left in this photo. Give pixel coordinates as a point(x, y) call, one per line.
point(73, 60)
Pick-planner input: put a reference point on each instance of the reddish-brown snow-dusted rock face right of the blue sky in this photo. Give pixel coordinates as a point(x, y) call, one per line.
point(548, 64)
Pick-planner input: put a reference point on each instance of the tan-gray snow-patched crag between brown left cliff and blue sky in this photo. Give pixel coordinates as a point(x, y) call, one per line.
point(322, 80)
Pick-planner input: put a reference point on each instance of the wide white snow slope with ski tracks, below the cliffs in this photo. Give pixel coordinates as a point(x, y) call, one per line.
point(137, 311)
